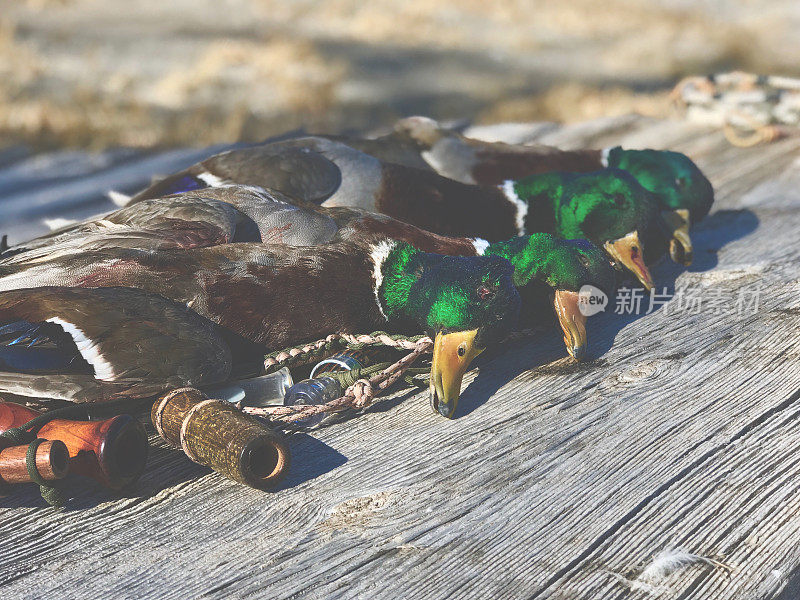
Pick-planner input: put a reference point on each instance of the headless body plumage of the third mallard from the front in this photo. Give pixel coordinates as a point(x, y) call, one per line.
point(355, 179)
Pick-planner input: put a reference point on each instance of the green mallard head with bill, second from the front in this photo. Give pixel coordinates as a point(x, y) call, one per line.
point(557, 269)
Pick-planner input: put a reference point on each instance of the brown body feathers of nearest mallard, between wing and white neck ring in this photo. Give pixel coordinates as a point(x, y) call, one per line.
point(271, 295)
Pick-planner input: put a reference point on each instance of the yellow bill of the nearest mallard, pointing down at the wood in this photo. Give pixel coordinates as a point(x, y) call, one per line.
point(452, 354)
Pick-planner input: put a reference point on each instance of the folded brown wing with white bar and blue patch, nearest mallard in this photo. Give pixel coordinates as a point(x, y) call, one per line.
point(94, 344)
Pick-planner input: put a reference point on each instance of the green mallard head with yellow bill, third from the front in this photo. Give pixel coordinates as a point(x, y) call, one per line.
point(607, 207)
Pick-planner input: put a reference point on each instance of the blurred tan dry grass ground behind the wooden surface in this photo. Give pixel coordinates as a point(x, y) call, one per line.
point(96, 74)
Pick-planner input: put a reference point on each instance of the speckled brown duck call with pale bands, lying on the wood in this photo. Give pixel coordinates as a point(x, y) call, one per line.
point(218, 435)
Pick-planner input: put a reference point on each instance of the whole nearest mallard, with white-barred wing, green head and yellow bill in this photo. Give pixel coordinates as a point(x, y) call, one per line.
point(263, 296)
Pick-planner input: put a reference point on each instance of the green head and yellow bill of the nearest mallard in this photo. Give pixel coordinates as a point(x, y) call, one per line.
point(464, 303)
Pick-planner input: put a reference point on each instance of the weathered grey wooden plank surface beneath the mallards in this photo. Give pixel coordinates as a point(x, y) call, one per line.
point(556, 480)
